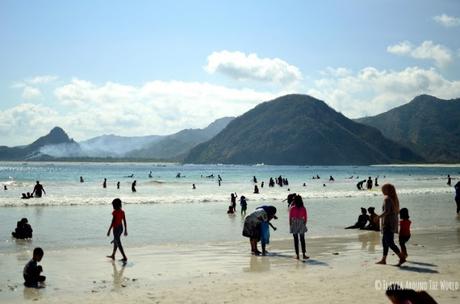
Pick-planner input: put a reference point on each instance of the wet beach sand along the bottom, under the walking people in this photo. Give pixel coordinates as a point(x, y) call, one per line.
point(341, 270)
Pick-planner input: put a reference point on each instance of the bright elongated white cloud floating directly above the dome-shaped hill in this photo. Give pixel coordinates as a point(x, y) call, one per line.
point(243, 66)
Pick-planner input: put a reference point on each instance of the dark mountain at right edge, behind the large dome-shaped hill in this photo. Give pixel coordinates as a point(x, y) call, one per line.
point(428, 125)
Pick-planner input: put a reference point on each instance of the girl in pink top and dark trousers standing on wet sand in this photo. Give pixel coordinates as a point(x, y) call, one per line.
point(297, 224)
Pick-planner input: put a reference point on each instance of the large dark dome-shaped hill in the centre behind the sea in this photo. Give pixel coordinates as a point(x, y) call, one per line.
point(299, 130)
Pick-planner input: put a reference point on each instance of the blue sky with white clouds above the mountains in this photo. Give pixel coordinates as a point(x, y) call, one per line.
point(156, 67)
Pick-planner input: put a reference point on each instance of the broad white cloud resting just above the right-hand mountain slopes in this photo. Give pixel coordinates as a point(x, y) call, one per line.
point(371, 91)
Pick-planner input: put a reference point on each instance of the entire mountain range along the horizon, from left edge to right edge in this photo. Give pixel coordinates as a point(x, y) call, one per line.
point(290, 130)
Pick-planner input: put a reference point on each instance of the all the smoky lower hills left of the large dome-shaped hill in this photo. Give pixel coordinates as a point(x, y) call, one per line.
point(58, 145)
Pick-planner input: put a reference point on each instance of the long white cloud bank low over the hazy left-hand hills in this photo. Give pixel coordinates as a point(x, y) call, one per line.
point(156, 107)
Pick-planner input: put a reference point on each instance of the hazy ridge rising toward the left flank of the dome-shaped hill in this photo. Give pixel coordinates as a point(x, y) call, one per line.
point(176, 146)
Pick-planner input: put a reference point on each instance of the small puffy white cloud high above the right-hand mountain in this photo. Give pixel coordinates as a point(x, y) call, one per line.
point(427, 50)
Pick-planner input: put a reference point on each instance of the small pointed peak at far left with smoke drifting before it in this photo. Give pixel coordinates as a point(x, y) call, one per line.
point(55, 144)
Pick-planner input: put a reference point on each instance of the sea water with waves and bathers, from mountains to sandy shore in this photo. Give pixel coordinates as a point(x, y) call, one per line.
point(166, 209)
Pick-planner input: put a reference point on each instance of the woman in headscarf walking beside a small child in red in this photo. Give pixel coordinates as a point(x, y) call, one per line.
point(390, 223)
